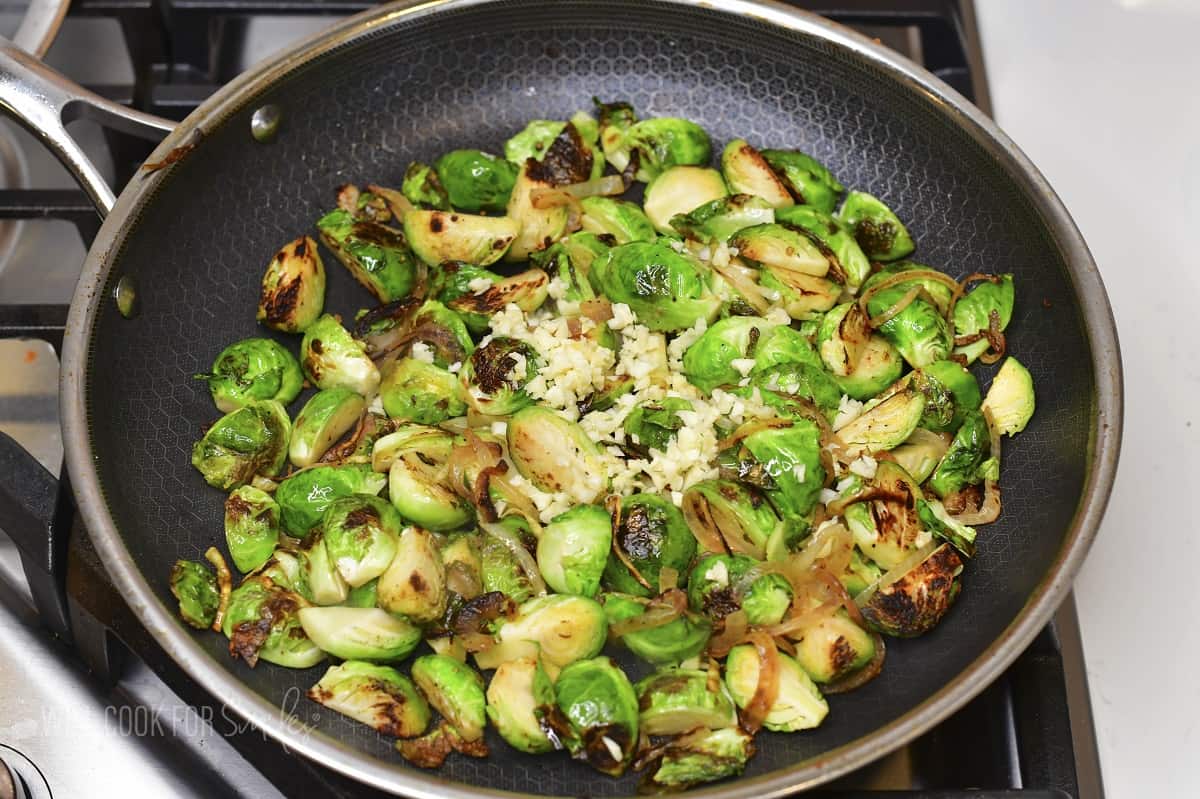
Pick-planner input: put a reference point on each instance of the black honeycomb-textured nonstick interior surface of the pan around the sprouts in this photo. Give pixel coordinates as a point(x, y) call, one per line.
point(473, 77)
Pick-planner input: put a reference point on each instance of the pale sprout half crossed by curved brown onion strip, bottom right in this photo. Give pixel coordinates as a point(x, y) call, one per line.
point(799, 706)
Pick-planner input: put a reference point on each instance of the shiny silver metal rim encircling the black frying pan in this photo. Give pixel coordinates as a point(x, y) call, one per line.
point(398, 778)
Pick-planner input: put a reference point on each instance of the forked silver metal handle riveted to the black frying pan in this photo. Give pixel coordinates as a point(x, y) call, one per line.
point(44, 101)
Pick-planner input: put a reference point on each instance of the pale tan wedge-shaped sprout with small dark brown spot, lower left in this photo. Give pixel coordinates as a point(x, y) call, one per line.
point(415, 584)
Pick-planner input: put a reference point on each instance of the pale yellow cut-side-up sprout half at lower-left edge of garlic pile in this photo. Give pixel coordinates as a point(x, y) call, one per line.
point(556, 455)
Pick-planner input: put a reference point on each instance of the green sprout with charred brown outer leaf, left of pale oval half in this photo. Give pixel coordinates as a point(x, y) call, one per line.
point(262, 624)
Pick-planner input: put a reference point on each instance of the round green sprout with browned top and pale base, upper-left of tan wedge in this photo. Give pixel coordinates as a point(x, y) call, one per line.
point(362, 537)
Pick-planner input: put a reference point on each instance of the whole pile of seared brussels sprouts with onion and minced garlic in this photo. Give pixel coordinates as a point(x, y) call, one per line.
point(721, 423)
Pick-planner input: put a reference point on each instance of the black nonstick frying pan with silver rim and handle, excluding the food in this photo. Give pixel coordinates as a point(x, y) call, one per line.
point(411, 81)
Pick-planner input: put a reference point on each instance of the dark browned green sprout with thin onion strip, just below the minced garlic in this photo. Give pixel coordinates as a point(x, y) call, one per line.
point(652, 536)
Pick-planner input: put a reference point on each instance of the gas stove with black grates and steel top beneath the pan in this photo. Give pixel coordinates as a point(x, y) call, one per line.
point(86, 710)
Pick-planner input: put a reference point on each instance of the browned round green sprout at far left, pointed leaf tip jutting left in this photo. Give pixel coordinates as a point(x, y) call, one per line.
point(254, 370)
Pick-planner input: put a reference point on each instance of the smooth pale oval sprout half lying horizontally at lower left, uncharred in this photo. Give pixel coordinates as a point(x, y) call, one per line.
point(361, 633)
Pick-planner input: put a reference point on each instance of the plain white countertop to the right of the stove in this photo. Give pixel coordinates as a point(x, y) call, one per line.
point(1102, 97)
